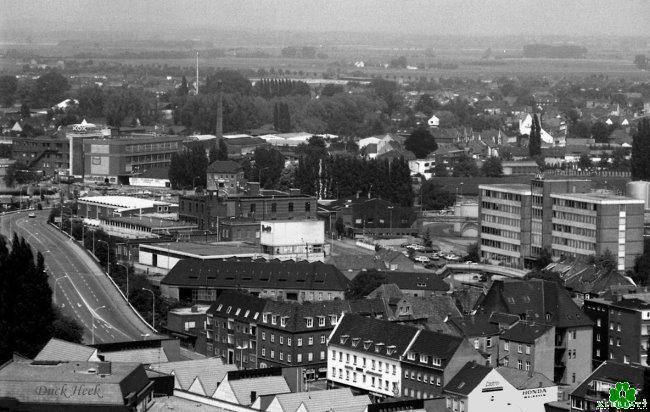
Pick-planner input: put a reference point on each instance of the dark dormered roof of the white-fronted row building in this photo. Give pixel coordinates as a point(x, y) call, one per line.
point(379, 337)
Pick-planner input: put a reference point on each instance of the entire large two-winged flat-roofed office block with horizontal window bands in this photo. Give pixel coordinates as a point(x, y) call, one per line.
point(517, 221)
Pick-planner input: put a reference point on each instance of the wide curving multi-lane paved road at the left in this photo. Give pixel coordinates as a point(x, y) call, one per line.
point(79, 285)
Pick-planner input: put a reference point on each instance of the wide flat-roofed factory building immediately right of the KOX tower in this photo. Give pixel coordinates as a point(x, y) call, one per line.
point(118, 157)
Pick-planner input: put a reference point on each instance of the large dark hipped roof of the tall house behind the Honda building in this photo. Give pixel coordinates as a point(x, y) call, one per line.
point(540, 300)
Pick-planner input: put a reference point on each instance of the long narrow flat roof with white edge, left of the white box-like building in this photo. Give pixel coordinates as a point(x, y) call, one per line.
point(204, 250)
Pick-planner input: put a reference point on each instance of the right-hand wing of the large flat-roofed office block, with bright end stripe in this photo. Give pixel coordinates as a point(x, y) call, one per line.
point(587, 224)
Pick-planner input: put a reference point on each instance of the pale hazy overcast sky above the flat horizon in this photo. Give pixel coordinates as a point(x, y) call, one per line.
point(464, 17)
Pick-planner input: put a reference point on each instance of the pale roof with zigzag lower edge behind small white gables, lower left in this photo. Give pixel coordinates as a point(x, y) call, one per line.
point(209, 371)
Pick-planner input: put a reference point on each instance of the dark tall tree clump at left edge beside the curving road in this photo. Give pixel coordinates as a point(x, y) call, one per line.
point(28, 318)
